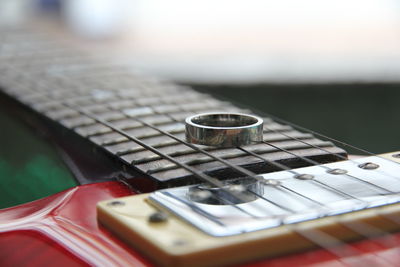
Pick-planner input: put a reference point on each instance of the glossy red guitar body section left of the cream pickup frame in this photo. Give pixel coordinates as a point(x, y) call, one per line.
point(64, 225)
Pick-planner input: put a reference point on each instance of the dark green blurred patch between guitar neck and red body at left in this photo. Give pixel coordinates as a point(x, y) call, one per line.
point(30, 167)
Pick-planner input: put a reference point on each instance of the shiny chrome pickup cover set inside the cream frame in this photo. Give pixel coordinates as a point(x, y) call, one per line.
point(292, 199)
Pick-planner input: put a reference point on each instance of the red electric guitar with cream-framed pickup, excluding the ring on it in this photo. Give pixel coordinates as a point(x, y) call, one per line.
point(148, 197)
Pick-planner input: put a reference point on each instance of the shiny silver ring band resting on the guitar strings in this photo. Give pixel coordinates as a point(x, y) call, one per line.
point(224, 129)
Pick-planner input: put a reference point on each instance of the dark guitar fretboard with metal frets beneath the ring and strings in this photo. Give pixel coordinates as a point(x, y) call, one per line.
point(112, 106)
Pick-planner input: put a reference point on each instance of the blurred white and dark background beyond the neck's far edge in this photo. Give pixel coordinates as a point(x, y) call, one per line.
point(332, 66)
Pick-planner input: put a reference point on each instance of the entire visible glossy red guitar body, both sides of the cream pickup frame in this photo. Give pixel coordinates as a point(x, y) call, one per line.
point(62, 230)
